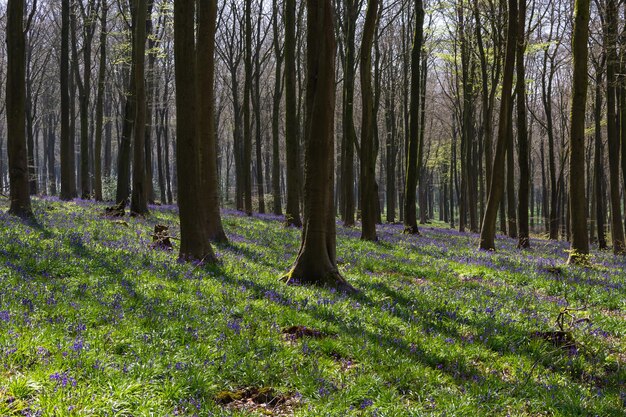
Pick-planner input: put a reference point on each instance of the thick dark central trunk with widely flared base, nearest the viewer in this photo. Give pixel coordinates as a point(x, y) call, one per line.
point(316, 261)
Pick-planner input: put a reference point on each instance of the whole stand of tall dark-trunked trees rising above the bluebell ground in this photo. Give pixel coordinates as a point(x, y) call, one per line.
point(476, 113)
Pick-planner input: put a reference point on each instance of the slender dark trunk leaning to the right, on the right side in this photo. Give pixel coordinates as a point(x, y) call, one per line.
point(496, 188)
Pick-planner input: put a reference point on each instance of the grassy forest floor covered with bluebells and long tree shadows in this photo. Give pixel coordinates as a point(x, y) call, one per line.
point(95, 322)
